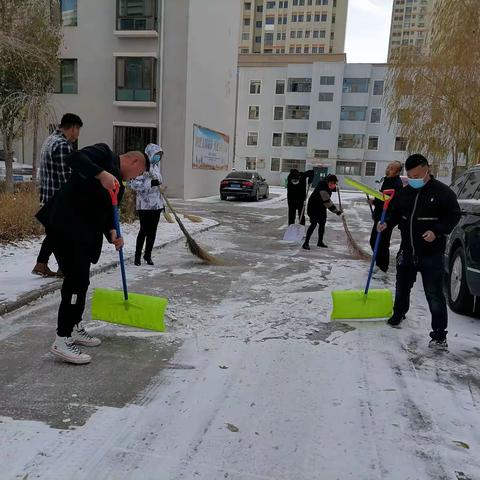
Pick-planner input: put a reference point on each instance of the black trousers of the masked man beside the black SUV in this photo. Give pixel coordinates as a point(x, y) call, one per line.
point(432, 271)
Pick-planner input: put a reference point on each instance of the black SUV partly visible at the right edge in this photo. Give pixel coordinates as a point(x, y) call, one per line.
point(462, 255)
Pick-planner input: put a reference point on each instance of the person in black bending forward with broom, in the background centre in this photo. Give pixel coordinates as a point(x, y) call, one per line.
point(317, 209)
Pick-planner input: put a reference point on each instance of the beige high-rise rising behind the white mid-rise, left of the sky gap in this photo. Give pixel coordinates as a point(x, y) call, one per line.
point(293, 26)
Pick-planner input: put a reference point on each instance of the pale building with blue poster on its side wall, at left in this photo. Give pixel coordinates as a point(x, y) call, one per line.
point(140, 71)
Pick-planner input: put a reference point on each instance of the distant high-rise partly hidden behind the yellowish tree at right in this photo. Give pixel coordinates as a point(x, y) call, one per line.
point(411, 24)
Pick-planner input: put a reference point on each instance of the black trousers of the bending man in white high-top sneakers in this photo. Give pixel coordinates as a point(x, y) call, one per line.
point(74, 261)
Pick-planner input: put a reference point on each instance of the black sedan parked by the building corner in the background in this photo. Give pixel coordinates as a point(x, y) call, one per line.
point(244, 184)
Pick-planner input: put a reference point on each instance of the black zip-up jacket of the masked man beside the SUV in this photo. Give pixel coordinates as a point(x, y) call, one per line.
point(433, 207)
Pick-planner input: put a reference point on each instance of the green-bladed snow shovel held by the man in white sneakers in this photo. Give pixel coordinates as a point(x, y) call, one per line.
point(133, 309)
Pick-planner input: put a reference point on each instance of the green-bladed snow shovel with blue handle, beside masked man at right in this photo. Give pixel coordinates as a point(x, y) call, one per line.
point(365, 304)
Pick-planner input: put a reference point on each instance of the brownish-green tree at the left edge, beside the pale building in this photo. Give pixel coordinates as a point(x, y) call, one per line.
point(29, 44)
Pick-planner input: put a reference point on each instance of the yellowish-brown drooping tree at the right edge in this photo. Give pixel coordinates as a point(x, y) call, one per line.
point(437, 94)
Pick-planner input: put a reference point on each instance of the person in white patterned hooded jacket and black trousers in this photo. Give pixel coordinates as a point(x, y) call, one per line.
point(149, 203)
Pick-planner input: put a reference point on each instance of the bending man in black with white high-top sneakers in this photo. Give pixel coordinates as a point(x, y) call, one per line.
point(77, 218)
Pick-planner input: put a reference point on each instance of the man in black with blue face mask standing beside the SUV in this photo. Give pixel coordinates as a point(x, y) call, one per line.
point(426, 211)
